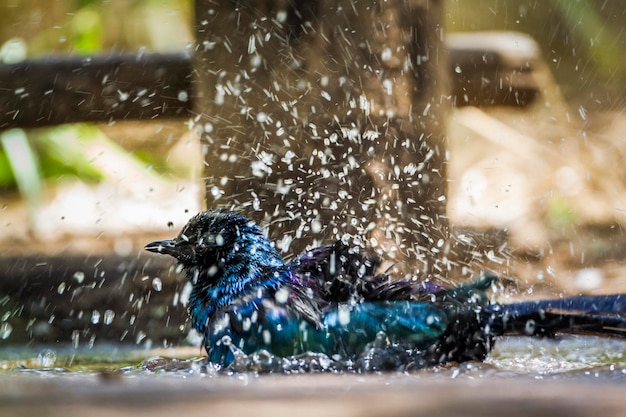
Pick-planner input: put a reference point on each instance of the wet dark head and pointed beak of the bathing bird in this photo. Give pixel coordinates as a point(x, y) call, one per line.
point(209, 239)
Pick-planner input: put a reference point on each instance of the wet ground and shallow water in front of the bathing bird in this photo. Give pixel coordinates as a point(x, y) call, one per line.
point(569, 376)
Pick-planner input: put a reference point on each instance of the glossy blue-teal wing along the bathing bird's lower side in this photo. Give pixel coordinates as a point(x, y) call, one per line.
point(263, 323)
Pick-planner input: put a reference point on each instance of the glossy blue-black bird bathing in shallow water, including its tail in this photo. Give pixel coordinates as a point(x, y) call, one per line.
point(331, 300)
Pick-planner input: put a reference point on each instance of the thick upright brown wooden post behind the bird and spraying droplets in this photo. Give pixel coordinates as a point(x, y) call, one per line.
point(325, 119)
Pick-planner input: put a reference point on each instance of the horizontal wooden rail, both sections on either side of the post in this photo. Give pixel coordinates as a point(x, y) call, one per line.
point(483, 68)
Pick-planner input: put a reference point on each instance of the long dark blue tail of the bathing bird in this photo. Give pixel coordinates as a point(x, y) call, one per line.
point(604, 314)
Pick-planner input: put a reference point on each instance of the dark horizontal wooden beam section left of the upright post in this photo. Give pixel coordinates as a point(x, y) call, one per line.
point(62, 89)
